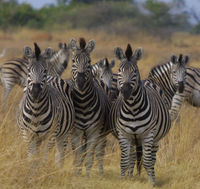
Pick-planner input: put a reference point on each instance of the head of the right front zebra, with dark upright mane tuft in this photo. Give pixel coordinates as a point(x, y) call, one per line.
point(128, 74)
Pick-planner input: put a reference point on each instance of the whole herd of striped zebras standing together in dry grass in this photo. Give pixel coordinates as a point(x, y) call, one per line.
point(95, 102)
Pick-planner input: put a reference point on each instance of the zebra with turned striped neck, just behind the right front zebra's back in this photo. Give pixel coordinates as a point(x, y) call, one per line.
point(171, 78)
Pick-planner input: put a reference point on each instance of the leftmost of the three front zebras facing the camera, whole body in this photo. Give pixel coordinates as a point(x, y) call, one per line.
point(46, 111)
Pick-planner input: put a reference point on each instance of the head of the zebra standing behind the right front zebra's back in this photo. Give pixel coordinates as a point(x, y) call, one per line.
point(178, 71)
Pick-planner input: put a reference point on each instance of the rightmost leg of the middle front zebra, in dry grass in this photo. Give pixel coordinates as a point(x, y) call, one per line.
point(100, 152)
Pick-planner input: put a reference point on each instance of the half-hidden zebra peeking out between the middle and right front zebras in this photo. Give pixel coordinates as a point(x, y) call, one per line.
point(102, 71)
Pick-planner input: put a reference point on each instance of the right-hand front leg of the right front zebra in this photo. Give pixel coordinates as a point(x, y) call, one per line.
point(147, 154)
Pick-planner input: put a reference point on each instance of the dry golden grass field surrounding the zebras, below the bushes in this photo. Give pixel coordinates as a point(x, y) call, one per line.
point(178, 159)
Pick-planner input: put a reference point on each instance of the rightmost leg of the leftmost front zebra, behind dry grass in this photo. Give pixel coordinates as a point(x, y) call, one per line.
point(61, 145)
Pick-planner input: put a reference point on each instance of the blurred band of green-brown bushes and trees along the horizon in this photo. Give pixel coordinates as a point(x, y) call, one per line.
point(112, 16)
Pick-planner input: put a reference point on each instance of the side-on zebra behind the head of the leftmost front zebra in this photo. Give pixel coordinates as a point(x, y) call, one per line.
point(14, 71)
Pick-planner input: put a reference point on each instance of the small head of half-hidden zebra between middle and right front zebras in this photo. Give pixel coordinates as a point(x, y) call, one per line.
point(105, 73)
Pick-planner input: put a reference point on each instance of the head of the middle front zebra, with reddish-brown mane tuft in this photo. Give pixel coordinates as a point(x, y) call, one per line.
point(81, 62)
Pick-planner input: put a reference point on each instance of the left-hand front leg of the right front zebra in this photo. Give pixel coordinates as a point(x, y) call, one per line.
point(125, 154)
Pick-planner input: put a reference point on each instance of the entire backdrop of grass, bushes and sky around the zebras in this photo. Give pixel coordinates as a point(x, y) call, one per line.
point(160, 27)
